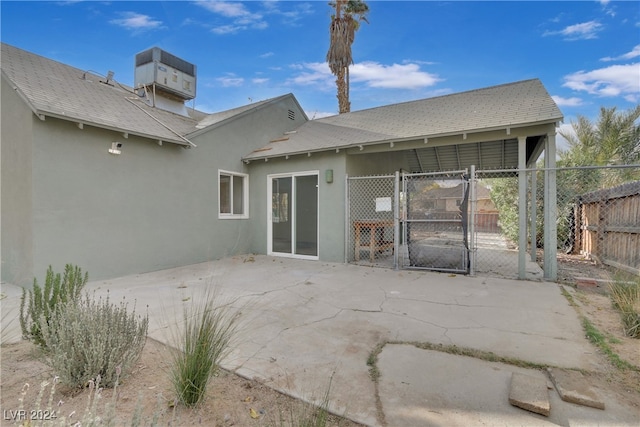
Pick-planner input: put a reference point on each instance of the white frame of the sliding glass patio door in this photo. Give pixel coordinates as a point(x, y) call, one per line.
point(292, 175)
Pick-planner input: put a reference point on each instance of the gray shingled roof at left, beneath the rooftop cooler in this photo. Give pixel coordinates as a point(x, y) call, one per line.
point(53, 89)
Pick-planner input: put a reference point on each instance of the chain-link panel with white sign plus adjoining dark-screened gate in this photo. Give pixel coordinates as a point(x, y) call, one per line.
point(409, 221)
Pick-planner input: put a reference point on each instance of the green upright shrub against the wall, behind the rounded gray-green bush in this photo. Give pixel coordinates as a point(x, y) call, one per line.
point(42, 303)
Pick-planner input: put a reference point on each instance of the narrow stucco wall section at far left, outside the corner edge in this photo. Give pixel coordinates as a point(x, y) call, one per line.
point(15, 187)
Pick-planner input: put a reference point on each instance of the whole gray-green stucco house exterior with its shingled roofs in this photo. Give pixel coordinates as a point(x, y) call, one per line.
point(66, 199)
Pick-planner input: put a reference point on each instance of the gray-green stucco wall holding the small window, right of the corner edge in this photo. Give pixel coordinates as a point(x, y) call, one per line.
point(149, 208)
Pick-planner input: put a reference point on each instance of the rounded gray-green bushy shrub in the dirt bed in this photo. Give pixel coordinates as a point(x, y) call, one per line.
point(91, 338)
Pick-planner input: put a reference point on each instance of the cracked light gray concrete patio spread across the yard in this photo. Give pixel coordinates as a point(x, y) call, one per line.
point(306, 322)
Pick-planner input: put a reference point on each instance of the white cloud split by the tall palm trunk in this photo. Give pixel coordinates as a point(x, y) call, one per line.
point(371, 74)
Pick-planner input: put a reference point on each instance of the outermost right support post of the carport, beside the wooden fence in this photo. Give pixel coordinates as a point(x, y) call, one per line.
point(550, 209)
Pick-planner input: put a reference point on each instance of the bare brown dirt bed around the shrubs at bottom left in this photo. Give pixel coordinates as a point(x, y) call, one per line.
point(231, 400)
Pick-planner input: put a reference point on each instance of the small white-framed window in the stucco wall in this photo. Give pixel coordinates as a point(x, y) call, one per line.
point(233, 195)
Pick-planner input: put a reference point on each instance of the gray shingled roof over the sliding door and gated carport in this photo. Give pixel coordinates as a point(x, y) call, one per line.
point(505, 106)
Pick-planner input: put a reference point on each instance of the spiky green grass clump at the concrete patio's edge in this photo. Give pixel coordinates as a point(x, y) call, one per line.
point(205, 339)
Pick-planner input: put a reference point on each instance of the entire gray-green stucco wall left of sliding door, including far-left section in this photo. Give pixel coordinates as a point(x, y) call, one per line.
point(66, 199)
